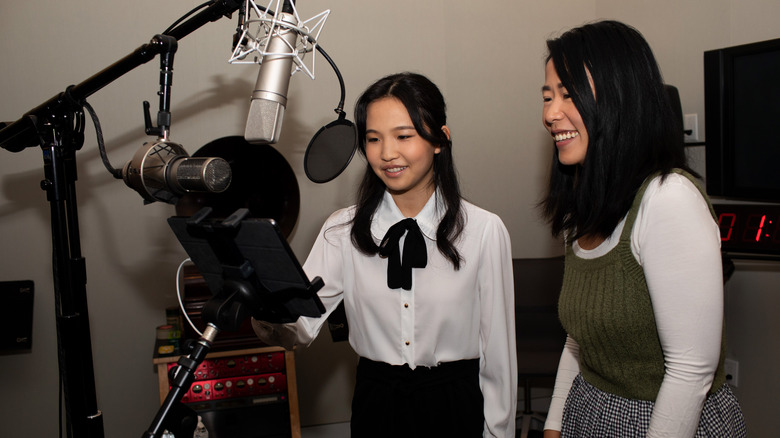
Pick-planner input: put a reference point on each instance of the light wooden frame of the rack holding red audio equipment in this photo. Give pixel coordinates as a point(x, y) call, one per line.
point(289, 364)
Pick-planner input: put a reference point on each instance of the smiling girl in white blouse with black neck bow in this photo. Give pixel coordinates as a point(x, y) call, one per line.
point(425, 278)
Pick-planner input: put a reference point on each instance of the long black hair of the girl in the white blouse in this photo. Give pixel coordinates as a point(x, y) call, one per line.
point(427, 109)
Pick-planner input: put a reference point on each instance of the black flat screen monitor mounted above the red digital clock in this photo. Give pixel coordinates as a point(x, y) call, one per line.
point(742, 112)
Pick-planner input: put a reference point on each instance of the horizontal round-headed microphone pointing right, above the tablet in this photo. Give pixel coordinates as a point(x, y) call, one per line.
point(163, 171)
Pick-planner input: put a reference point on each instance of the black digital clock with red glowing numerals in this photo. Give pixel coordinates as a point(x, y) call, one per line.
point(749, 228)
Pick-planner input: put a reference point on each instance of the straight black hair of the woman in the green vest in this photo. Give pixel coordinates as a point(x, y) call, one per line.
point(633, 131)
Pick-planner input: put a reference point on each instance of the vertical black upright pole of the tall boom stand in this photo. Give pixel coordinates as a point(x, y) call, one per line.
point(59, 144)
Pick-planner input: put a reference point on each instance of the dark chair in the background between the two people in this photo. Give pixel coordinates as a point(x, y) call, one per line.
point(540, 337)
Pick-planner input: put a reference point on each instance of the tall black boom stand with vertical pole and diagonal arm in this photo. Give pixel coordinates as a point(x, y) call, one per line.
point(57, 126)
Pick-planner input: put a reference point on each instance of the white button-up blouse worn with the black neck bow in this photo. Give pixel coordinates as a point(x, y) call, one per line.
point(447, 315)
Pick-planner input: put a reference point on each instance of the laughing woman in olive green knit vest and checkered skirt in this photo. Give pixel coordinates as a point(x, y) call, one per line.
point(642, 295)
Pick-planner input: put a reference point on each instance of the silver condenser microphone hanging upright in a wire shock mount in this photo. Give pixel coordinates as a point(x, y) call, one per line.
point(269, 99)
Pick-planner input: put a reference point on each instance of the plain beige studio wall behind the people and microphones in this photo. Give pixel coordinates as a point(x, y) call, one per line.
point(488, 62)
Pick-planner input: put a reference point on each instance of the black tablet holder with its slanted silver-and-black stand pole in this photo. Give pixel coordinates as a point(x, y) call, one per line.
point(241, 292)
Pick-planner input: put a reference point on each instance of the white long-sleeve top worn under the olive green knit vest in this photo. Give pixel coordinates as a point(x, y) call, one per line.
point(677, 243)
